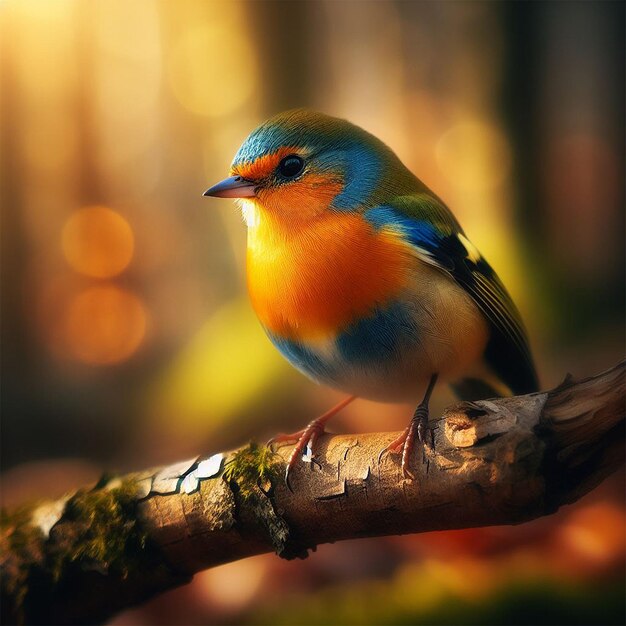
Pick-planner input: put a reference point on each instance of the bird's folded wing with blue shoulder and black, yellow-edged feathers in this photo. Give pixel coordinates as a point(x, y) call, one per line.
point(438, 239)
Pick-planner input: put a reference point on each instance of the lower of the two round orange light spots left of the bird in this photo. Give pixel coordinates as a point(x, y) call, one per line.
point(104, 325)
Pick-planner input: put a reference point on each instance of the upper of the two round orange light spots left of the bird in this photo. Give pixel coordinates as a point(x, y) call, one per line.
point(98, 242)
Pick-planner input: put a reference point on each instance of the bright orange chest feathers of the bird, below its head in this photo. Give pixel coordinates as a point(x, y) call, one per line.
point(312, 281)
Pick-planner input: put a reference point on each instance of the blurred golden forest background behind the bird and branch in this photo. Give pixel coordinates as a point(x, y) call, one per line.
point(127, 337)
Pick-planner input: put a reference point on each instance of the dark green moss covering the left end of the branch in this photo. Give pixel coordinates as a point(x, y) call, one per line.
point(97, 532)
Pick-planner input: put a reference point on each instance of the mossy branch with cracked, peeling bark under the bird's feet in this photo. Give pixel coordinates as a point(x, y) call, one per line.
point(501, 461)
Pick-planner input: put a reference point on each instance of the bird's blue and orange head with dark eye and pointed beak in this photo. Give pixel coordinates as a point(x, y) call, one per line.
point(299, 165)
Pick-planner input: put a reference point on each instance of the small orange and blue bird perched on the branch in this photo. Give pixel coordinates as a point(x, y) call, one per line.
point(362, 277)
